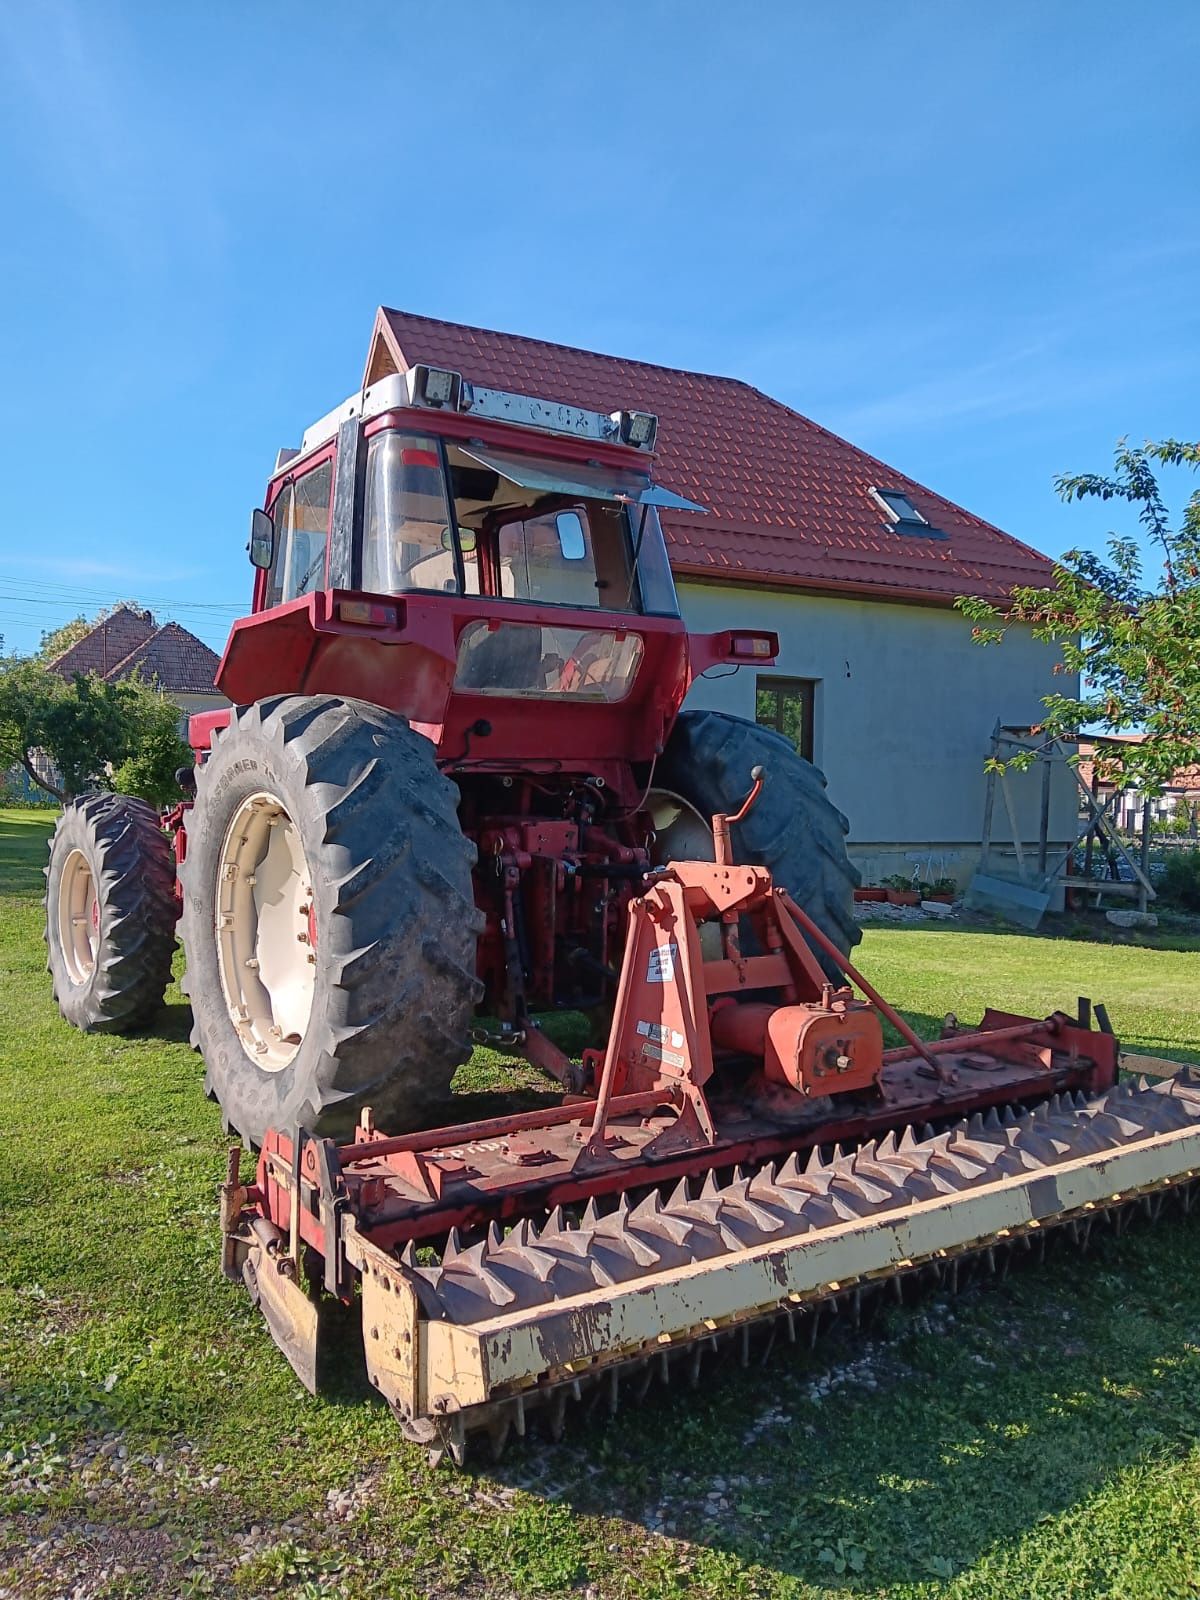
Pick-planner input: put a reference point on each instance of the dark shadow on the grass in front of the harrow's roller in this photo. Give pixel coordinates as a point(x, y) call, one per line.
point(970, 1439)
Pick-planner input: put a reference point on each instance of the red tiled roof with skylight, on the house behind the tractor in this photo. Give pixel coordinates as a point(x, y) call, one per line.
point(790, 502)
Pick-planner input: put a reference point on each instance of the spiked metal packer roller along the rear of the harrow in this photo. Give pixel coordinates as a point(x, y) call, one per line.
point(574, 1254)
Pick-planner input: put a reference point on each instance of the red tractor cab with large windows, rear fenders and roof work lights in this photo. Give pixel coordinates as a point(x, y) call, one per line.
point(455, 553)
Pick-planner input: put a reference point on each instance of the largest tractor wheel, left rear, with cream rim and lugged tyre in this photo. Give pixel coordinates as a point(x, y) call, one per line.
point(329, 919)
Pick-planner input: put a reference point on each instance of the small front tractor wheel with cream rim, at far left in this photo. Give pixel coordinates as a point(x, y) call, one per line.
point(110, 913)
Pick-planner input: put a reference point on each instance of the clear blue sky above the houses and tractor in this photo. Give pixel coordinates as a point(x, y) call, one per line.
point(967, 238)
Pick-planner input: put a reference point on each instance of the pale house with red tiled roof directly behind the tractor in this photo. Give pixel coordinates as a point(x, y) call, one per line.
point(854, 564)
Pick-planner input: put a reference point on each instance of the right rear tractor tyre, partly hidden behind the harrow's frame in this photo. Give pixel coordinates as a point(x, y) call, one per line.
point(794, 830)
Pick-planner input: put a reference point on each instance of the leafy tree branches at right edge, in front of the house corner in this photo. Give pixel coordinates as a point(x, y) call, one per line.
point(1134, 639)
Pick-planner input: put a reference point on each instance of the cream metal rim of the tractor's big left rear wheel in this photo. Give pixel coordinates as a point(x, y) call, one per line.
point(266, 932)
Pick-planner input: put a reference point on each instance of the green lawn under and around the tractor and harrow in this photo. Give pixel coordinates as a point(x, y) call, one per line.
point(1036, 1439)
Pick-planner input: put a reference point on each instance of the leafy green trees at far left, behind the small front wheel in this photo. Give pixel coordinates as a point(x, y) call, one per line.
point(86, 734)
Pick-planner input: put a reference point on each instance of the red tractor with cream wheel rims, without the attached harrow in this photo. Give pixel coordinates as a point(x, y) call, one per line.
point(457, 753)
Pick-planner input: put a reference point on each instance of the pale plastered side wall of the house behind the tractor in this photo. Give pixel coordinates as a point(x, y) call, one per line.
point(903, 718)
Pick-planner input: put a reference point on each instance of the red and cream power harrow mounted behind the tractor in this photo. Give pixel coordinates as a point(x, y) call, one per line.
point(745, 1158)
